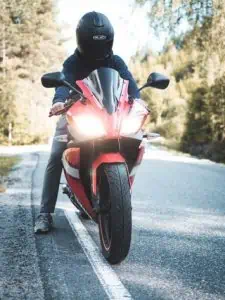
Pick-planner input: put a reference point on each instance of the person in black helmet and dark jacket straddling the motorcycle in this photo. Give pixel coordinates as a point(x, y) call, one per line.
point(95, 37)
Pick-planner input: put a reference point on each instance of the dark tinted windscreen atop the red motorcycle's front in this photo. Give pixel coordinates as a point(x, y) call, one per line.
point(106, 85)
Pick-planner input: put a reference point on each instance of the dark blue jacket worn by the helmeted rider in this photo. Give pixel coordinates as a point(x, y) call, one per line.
point(76, 68)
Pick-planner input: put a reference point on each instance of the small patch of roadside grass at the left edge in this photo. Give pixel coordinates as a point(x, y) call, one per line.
point(6, 164)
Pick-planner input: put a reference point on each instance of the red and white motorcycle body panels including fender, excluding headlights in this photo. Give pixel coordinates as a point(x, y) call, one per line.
point(112, 126)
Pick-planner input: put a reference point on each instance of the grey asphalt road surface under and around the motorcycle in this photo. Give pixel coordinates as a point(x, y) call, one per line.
point(178, 242)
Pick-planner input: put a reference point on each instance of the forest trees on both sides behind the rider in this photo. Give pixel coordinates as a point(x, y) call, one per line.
point(190, 115)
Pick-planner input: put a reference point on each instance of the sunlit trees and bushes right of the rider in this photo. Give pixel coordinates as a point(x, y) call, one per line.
point(191, 113)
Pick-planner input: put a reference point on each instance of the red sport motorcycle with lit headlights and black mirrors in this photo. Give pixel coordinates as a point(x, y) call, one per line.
point(104, 151)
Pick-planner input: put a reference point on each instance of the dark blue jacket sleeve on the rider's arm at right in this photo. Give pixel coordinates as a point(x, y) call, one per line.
point(122, 68)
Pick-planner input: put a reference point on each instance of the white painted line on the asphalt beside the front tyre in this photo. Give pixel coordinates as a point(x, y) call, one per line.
point(107, 276)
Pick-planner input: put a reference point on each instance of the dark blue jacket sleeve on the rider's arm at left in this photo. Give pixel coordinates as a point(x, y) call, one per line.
point(62, 92)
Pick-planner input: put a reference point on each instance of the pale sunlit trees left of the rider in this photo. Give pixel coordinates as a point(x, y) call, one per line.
point(29, 46)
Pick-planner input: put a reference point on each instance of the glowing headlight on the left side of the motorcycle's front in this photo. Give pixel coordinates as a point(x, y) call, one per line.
point(89, 125)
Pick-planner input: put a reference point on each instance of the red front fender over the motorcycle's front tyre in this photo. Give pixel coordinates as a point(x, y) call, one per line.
point(104, 158)
